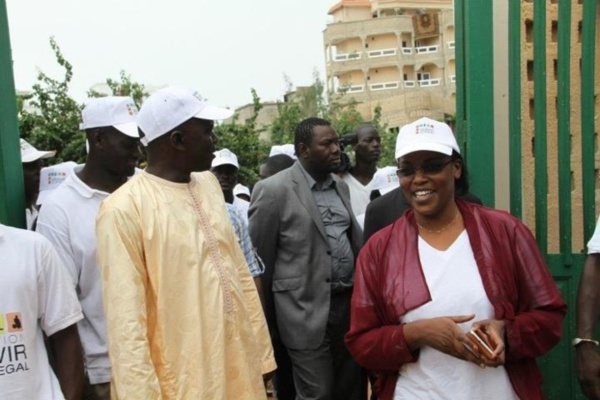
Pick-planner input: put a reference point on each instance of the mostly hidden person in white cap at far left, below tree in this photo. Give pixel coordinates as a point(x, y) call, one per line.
point(32, 160)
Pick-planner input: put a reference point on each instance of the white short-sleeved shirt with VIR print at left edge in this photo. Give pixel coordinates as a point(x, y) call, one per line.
point(36, 296)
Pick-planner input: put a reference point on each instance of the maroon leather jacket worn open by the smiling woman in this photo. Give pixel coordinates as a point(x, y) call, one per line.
point(389, 282)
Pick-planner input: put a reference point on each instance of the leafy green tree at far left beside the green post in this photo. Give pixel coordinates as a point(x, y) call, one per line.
point(54, 122)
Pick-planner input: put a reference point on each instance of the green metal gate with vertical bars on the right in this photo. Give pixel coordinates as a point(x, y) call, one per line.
point(551, 128)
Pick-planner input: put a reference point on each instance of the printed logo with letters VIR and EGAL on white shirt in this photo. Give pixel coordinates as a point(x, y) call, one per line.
point(13, 351)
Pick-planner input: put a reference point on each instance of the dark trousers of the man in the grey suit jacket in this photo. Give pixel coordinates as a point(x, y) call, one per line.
point(329, 372)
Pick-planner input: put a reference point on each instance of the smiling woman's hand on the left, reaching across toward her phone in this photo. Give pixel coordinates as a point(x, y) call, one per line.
point(443, 334)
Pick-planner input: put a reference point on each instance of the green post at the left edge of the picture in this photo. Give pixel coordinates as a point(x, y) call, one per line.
point(12, 195)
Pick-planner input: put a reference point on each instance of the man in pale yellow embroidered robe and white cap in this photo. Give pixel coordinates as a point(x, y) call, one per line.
point(184, 318)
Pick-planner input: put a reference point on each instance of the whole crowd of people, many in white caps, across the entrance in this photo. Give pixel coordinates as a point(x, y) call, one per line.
point(179, 282)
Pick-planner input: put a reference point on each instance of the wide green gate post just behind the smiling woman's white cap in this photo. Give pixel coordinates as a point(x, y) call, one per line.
point(475, 93)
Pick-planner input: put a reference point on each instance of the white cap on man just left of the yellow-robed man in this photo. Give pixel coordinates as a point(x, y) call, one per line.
point(117, 111)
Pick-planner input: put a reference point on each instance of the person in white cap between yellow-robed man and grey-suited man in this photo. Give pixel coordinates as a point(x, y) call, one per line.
point(225, 166)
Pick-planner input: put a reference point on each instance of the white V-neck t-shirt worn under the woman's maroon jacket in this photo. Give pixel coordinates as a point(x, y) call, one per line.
point(456, 289)
